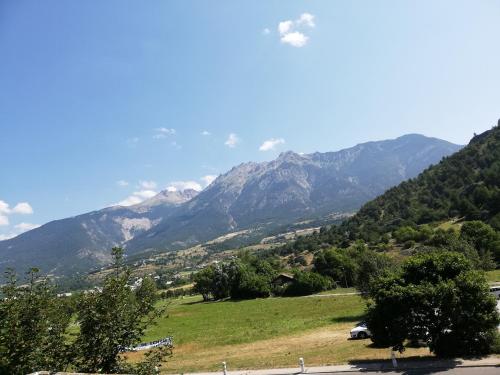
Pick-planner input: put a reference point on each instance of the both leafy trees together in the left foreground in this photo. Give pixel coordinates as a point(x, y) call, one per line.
point(35, 325)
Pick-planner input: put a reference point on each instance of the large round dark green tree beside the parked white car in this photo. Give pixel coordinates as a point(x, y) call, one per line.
point(437, 298)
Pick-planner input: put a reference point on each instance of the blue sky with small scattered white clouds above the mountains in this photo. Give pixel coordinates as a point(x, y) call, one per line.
point(105, 102)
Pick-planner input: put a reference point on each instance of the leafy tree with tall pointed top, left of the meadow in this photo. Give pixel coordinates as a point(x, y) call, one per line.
point(112, 320)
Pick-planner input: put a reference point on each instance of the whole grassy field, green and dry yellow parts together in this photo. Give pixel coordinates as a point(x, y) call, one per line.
point(263, 333)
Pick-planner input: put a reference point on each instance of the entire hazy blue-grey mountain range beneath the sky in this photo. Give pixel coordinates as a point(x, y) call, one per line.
point(292, 188)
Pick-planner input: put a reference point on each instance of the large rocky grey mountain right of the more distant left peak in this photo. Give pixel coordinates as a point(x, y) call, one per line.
point(294, 187)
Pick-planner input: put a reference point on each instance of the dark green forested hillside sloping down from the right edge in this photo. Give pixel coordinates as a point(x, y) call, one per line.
point(463, 187)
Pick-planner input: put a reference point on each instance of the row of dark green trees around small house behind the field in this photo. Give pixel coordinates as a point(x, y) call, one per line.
point(249, 276)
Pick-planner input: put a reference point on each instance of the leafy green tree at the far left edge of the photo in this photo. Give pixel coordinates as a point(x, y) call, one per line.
point(33, 322)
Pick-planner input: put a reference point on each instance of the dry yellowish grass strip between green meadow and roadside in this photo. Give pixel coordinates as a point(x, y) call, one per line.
point(327, 345)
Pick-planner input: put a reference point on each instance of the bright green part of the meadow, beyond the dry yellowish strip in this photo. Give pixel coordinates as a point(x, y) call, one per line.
point(225, 323)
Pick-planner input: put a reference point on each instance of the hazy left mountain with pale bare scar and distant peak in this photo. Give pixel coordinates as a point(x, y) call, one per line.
point(80, 242)
